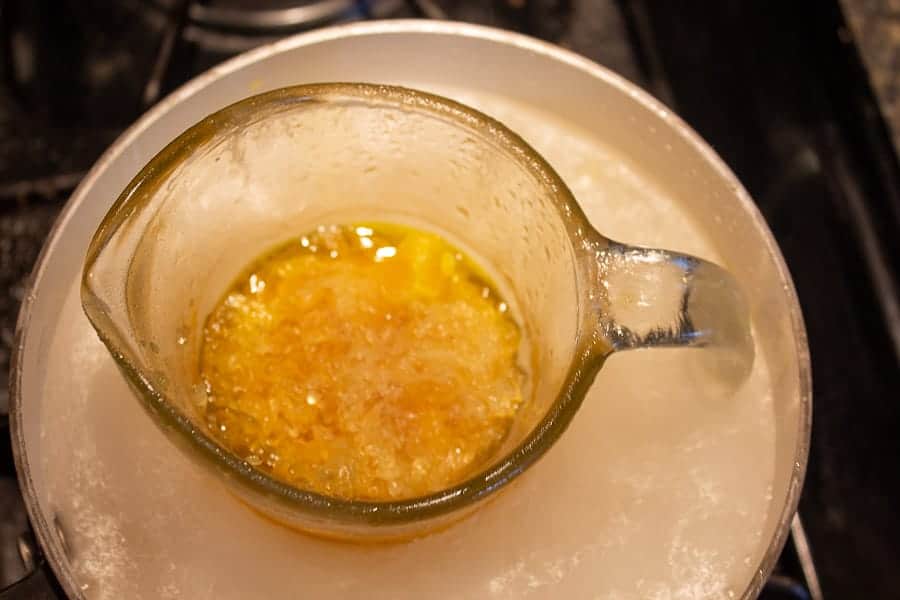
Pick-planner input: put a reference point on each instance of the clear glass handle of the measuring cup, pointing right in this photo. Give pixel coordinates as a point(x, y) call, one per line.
point(655, 298)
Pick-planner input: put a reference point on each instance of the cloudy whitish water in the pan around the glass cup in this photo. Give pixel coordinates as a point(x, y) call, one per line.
point(659, 489)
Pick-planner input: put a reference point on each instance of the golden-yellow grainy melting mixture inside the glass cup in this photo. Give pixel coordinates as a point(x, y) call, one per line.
point(370, 362)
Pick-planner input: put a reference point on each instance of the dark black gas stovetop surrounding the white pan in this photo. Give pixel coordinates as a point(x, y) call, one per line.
point(780, 93)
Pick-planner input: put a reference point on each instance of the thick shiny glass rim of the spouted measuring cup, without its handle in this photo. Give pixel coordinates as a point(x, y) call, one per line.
point(478, 486)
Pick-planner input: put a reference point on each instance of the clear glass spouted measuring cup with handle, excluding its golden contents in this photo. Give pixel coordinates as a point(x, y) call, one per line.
point(276, 165)
